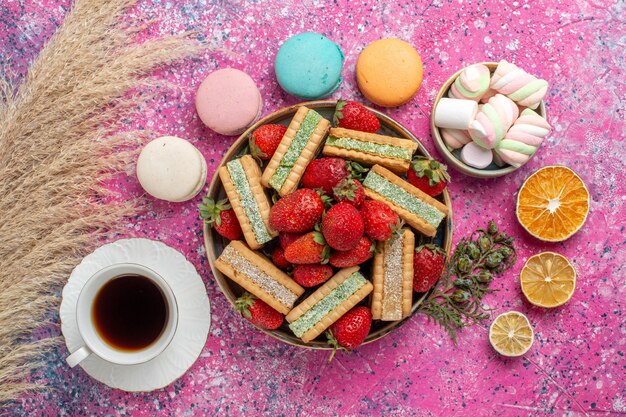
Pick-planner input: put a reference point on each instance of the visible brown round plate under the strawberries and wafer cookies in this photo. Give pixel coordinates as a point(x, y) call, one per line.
point(214, 243)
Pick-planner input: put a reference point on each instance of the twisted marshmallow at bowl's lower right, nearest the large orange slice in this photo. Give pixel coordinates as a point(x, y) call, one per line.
point(523, 138)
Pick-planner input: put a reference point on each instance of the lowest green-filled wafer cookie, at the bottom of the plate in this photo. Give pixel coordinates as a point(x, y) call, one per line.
point(328, 303)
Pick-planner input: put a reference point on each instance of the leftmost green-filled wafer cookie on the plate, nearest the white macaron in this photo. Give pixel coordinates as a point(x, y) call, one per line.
point(241, 179)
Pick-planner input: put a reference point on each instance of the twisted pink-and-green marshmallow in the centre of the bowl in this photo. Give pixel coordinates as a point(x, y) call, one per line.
point(492, 121)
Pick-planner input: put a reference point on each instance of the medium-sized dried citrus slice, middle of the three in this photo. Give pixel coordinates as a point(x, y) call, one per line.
point(548, 280)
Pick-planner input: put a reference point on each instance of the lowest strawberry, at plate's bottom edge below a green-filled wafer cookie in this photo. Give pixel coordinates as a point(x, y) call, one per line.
point(351, 329)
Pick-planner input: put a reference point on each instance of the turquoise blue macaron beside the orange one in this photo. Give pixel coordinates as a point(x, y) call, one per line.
point(308, 66)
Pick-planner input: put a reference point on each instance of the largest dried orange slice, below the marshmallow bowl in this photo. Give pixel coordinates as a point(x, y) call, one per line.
point(553, 203)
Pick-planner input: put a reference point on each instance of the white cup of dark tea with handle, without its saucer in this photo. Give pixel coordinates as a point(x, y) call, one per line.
point(126, 314)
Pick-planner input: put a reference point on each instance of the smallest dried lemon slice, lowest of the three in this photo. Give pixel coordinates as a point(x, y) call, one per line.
point(510, 334)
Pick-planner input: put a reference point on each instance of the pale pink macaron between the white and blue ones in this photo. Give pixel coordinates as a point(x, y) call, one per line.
point(228, 101)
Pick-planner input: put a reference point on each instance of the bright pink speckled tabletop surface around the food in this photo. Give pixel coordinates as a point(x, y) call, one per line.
point(576, 366)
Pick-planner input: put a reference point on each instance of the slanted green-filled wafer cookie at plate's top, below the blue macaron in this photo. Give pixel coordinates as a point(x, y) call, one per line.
point(296, 150)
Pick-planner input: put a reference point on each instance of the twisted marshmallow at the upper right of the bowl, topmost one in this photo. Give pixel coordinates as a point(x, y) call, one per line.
point(518, 85)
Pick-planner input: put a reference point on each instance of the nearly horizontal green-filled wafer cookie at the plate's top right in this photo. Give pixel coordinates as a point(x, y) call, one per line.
point(370, 149)
